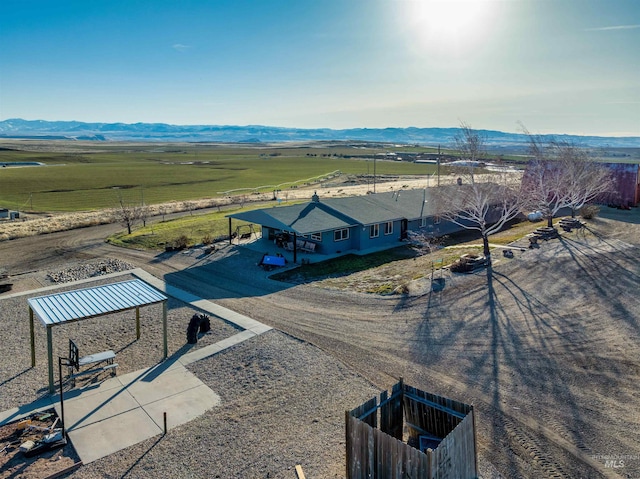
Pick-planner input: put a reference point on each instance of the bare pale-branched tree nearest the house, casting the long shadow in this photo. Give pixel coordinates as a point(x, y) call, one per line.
point(481, 202)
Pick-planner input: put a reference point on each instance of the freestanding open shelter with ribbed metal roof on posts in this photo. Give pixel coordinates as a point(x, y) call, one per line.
point(60, 308)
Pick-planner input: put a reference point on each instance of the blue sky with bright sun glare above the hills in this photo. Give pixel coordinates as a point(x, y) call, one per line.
point(557, 66)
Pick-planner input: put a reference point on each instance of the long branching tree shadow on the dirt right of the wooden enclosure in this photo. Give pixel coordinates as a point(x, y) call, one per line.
point(515, 348)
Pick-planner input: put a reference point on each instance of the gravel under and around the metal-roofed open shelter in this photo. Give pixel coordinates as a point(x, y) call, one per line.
point(21, 384)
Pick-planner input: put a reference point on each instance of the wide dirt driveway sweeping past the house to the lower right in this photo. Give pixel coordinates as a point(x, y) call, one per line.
point(547, 346)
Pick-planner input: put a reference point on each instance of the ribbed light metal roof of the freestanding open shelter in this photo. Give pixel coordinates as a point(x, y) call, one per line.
point(91, 302)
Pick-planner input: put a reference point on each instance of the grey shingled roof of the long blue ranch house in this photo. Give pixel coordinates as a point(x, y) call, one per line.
point(335, 213)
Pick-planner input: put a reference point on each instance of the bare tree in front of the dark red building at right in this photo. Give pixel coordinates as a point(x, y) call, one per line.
point(561, 175)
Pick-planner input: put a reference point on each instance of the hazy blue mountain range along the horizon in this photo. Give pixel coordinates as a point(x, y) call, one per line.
point(76, 130)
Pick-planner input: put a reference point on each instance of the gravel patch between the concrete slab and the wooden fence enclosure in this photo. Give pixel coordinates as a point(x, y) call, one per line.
point(283, 404)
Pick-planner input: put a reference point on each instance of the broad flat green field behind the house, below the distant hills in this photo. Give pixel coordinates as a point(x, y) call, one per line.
point(80, 177)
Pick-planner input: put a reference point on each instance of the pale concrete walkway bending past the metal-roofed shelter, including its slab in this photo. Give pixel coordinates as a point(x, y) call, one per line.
point(104, 418)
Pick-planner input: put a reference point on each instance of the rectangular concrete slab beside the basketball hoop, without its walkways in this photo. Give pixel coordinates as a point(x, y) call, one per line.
point(129, 409)
